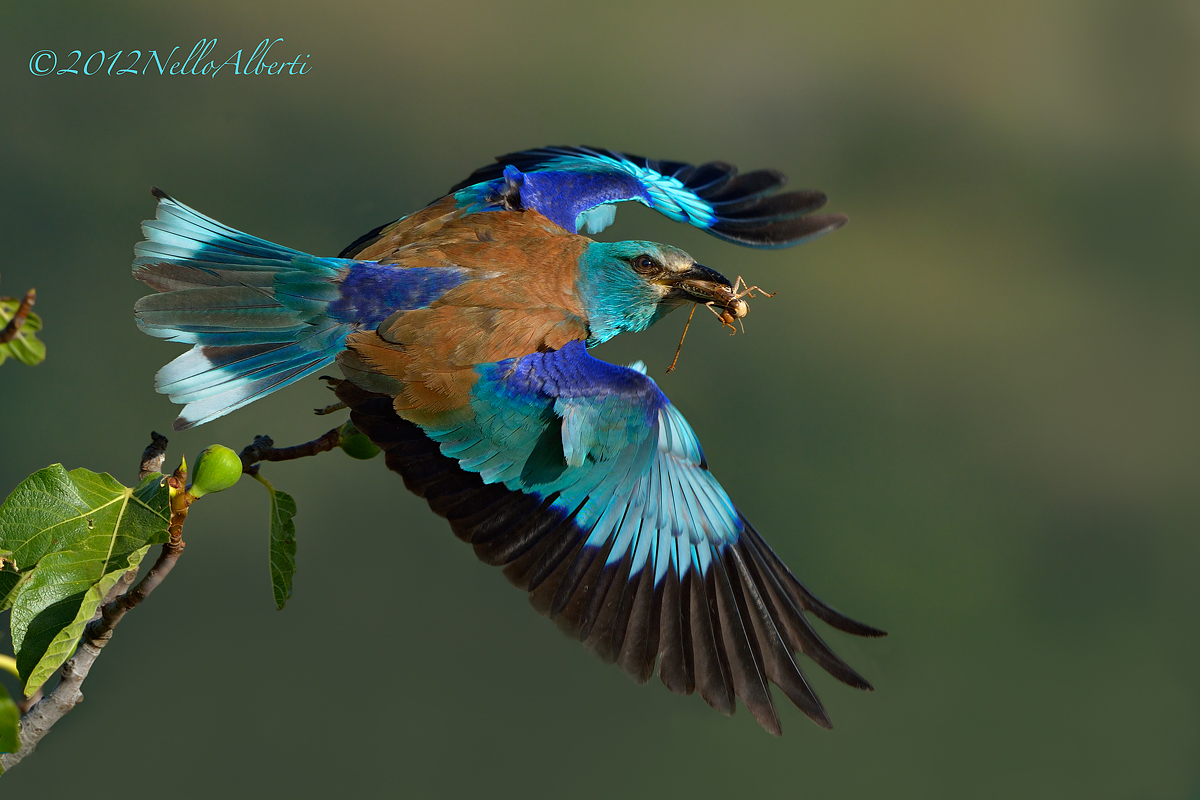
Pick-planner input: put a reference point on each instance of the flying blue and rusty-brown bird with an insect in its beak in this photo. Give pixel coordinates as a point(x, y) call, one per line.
point(463, 332)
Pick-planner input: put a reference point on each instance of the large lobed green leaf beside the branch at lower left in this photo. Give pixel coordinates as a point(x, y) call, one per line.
point(73, 536)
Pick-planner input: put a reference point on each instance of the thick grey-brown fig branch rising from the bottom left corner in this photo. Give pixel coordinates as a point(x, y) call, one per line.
point(38, 721)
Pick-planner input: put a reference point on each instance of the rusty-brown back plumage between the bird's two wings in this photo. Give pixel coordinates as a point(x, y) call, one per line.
point(521, 299)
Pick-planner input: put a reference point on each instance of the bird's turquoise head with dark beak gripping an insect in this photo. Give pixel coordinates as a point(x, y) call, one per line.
point(629, 286)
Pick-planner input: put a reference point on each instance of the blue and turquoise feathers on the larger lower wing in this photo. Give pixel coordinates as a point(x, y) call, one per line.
point(625, 448)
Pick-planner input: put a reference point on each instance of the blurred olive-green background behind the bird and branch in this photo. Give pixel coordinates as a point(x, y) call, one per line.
point(971, 418)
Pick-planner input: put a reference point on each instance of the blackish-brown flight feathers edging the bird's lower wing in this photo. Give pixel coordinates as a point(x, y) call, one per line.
point(727, 636)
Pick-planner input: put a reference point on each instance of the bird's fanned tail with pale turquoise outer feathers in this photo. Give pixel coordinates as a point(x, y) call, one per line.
point(256, 312)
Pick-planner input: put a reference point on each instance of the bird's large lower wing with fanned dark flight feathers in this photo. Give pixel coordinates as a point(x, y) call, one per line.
point(586, 484)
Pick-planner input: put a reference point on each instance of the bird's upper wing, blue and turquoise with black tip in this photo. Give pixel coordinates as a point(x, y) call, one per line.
point(578, 187)
